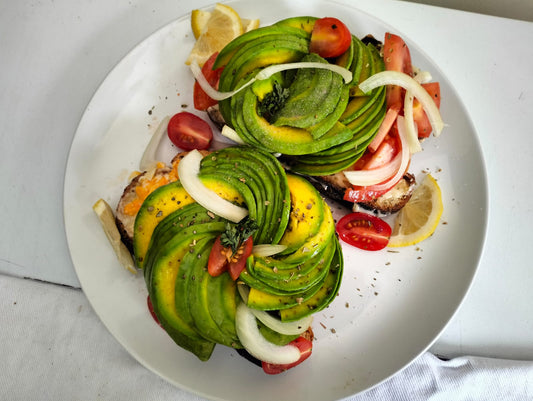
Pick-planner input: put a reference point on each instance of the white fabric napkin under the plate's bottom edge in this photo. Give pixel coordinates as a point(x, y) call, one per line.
point(54, 347)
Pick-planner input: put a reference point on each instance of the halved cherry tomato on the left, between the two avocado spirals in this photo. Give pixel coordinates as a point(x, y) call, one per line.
point(188, 131)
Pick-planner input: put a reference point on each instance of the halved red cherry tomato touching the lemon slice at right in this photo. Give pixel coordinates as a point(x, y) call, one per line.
point(364, 231)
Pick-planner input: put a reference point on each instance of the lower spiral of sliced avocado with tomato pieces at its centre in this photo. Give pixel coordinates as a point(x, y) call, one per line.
point(173, 237)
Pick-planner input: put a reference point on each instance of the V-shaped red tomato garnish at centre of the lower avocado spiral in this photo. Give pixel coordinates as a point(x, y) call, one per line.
point(223, 259)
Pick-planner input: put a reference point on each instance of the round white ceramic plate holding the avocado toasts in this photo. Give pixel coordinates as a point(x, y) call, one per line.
point(391, 306)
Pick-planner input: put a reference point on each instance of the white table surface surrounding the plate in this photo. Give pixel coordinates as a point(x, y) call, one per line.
point(54, 55)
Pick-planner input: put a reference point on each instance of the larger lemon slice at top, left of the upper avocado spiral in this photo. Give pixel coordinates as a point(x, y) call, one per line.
point(215, 30)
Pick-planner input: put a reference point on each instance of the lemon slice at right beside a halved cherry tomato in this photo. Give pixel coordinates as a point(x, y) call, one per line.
point(419, 218)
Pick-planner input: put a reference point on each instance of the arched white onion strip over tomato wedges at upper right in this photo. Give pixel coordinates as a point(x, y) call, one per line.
point(411, 85)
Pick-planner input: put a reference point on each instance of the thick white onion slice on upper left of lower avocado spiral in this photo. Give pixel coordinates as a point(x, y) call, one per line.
point(188, 170)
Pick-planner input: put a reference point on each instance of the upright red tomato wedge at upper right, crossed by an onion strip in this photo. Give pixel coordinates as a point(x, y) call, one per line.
point(397, 57)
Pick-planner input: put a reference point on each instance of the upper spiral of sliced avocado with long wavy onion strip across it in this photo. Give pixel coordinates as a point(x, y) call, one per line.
point(320, 124)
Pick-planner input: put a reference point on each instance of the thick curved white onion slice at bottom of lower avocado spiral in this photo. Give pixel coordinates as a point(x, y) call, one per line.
point(254, 342)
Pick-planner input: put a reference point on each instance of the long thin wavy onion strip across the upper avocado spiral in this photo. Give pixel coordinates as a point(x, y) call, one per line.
point(263, 74)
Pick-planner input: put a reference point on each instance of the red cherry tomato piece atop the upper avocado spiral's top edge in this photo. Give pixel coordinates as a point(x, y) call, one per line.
point(329, 38)
